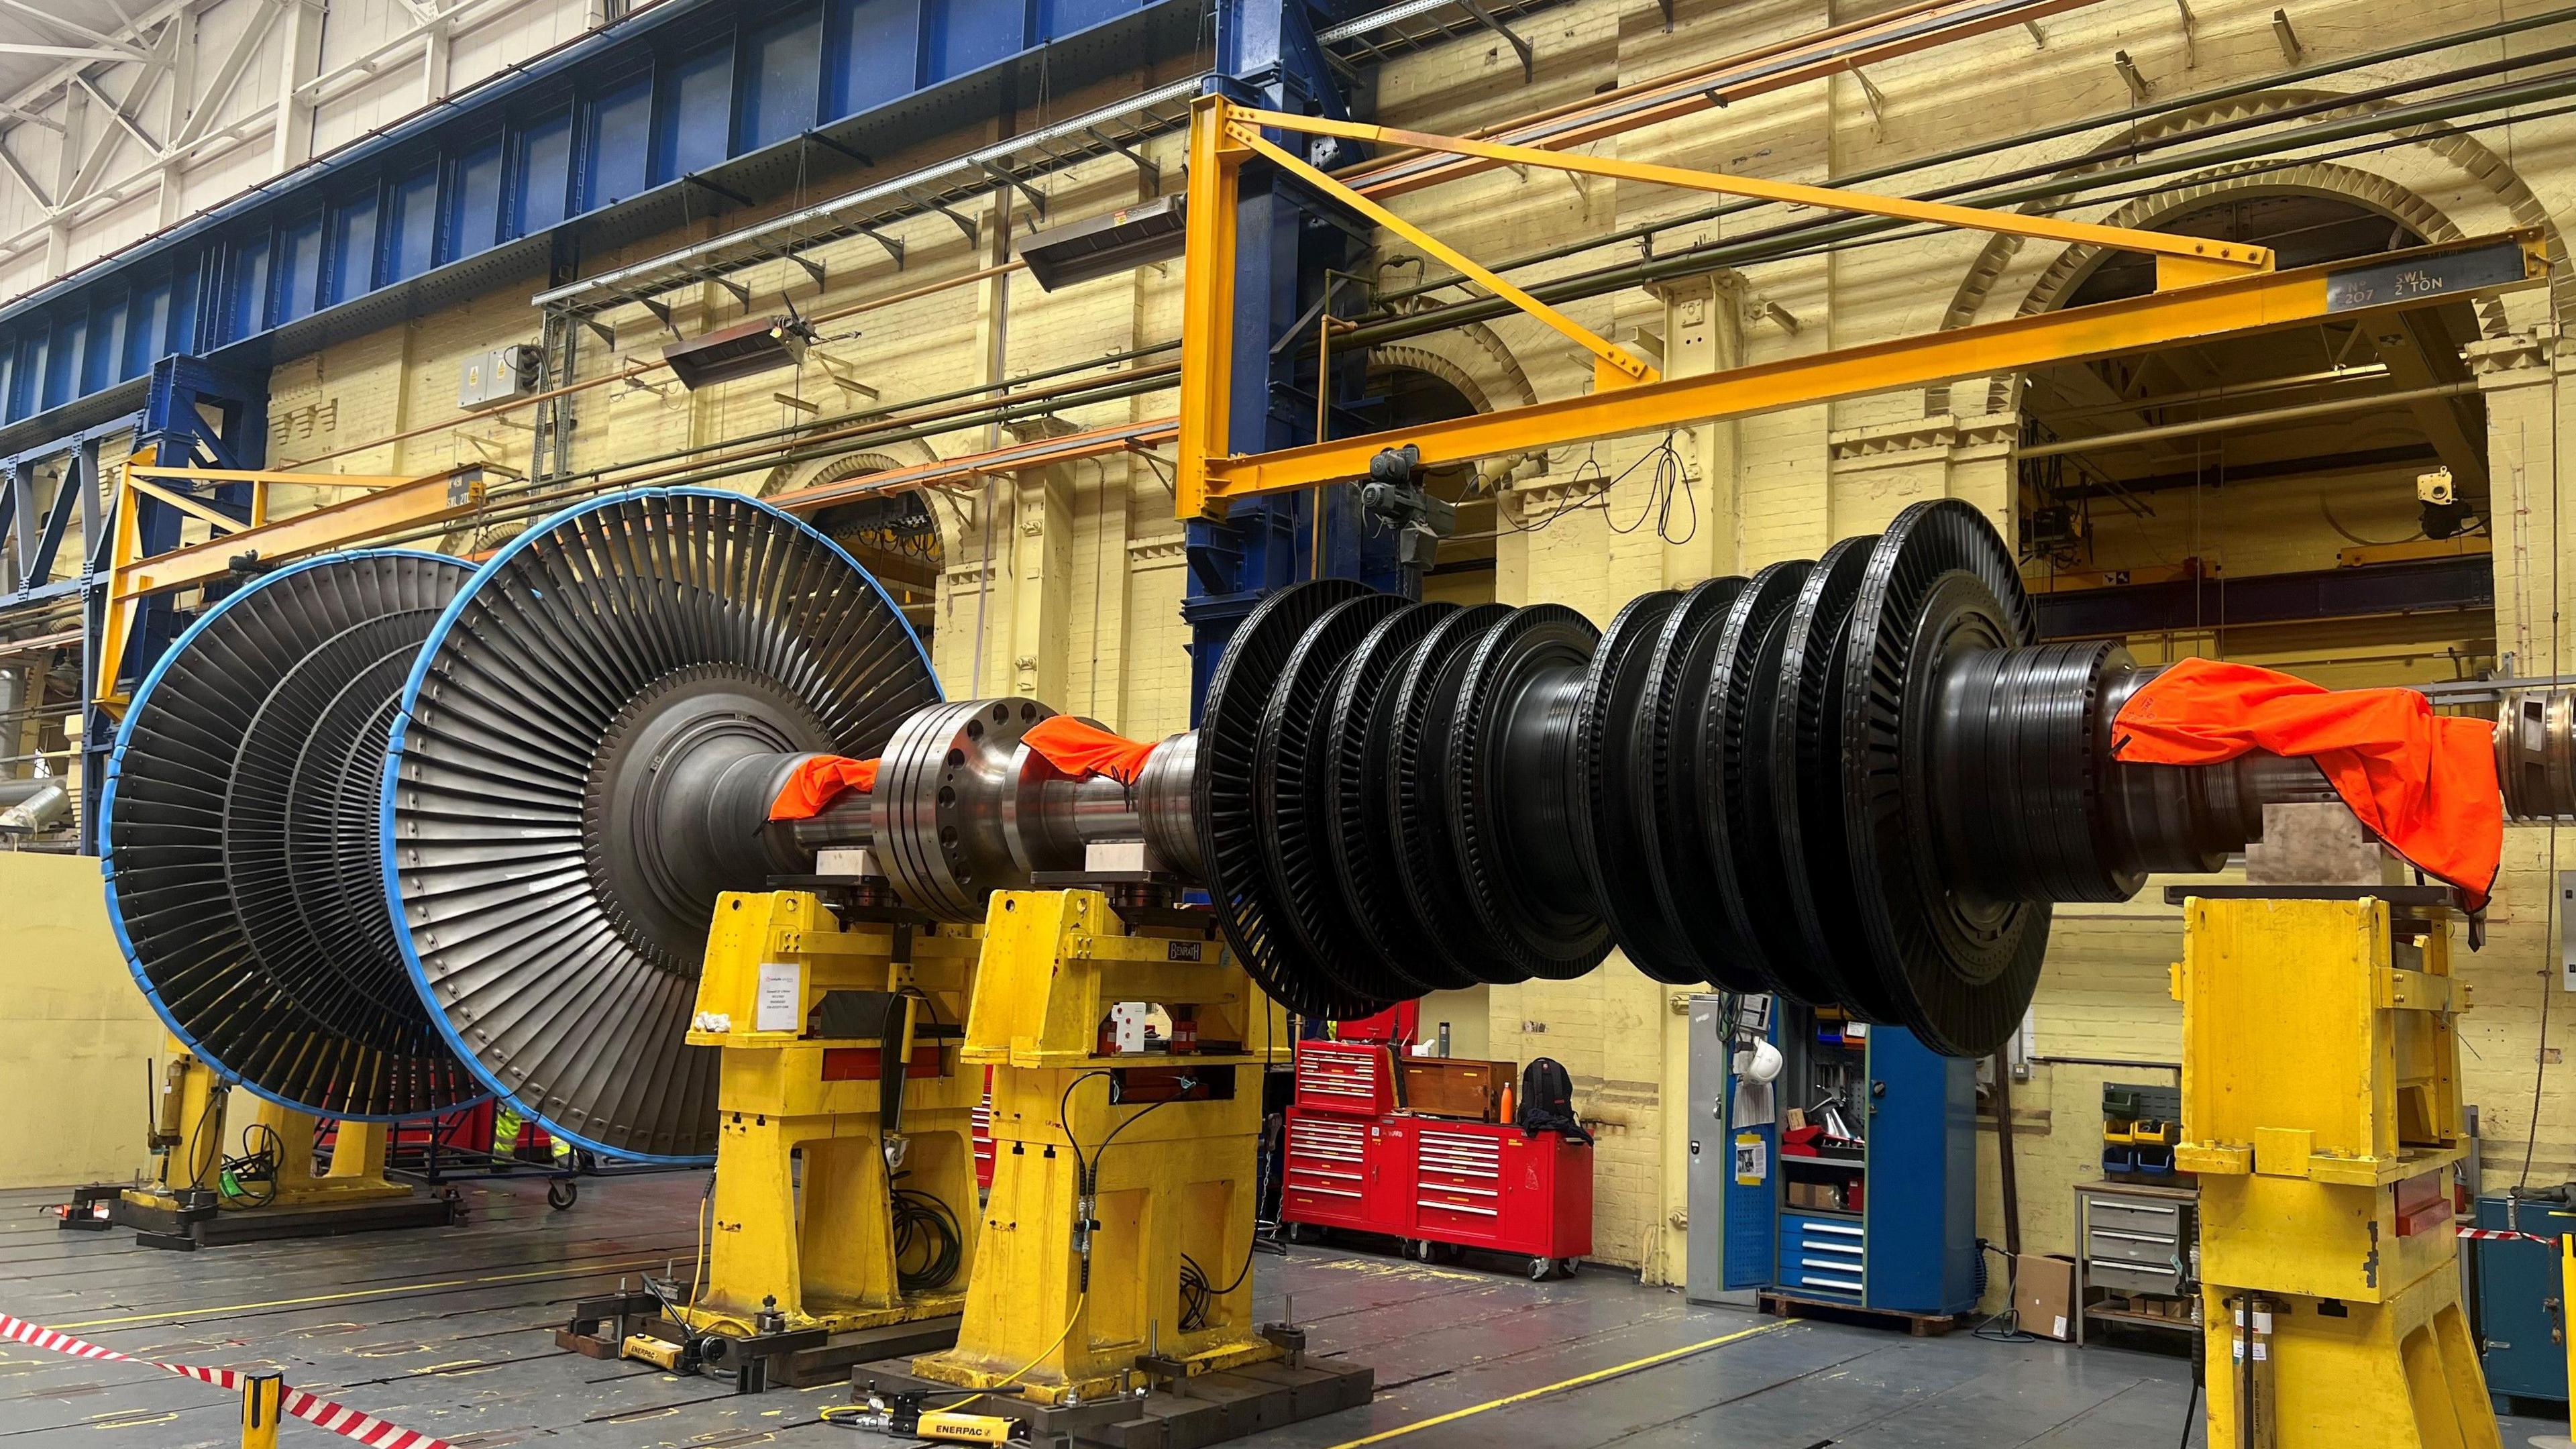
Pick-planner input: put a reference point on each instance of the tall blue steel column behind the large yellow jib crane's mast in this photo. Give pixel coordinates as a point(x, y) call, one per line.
point(1287, 241)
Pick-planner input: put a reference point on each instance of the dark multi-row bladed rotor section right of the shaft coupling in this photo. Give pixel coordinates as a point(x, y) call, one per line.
point(1732, 785)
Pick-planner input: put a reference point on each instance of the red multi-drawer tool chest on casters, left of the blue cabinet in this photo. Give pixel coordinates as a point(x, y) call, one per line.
point(1356, 1162)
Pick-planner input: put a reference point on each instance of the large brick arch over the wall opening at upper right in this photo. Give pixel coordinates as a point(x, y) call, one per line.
point(2322, 179)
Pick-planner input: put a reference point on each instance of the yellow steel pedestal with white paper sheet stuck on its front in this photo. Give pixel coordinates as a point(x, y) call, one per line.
point(802, 1221)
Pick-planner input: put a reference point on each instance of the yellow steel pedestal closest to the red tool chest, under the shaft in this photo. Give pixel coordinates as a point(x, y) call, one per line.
point(1112, 1172)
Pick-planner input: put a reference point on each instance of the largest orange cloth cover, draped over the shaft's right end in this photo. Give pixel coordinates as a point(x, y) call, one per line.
point(2420, 780)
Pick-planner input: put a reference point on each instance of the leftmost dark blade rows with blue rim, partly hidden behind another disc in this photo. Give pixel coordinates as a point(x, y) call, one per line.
point(238, 875)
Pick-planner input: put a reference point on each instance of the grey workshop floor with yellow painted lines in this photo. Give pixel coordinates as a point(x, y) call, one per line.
point(452, 1334)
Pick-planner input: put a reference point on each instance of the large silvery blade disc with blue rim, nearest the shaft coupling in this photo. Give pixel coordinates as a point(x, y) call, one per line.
point(550, 981)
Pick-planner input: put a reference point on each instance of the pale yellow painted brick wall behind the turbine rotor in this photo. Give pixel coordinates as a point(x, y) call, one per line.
point(1088, 574)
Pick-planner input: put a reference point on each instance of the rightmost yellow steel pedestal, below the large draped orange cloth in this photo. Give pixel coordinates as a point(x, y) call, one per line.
point(2322, 1113)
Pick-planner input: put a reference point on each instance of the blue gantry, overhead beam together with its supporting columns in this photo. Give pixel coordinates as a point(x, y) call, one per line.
point(609, 138)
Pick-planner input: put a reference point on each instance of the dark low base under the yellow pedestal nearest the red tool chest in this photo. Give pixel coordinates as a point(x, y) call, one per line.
point(1212, 1409)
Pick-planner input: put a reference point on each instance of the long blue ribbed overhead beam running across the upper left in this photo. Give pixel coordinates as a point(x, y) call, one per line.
point(687, 110)
